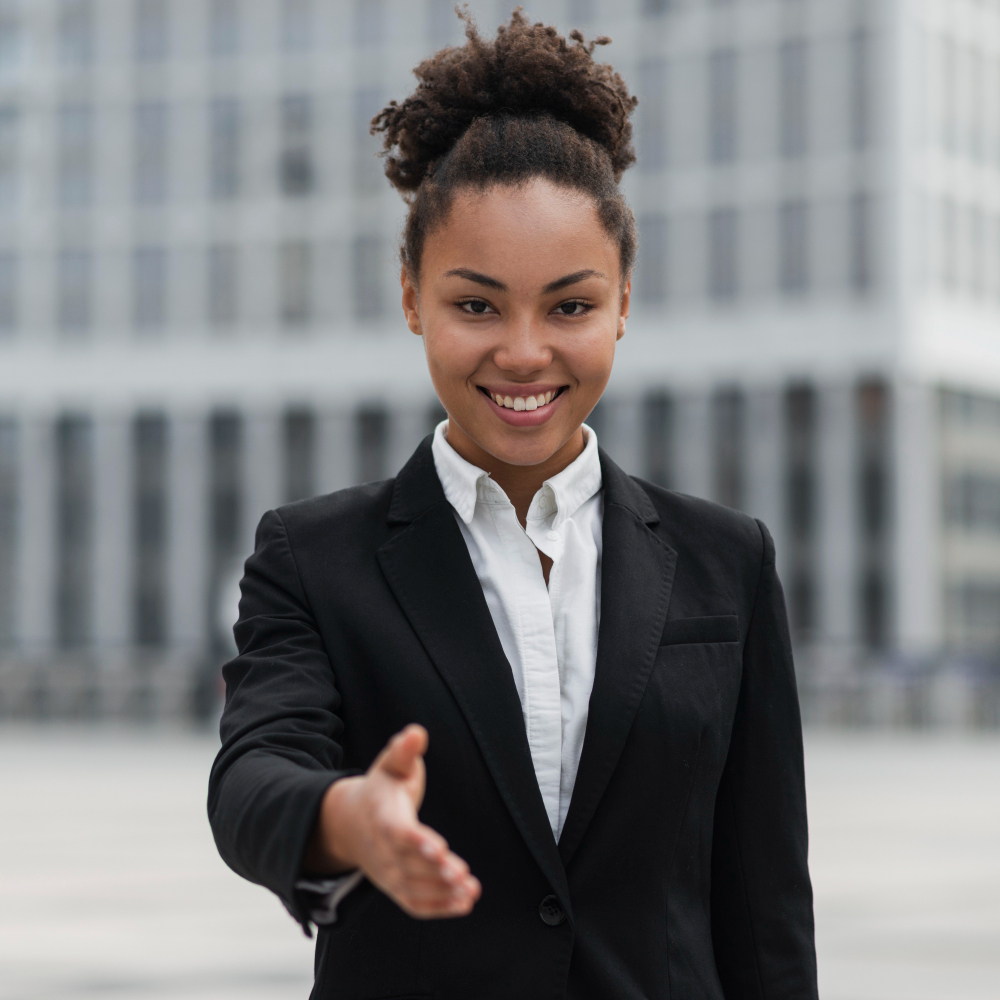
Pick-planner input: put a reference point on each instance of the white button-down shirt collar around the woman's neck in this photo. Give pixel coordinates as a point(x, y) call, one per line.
point(465, 484)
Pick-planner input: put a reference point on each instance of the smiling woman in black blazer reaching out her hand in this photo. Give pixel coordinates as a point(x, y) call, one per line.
point(515, 687)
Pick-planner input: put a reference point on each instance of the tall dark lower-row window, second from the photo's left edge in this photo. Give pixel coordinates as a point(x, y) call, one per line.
point(74, 530)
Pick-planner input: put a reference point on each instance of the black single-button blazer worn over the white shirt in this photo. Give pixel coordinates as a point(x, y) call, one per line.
point(681, 871)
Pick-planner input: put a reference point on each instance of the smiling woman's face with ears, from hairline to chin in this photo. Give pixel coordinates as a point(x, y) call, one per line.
point(520, 305)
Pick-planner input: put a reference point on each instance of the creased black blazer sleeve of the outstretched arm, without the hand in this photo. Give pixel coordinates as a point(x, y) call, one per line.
point(280, 727)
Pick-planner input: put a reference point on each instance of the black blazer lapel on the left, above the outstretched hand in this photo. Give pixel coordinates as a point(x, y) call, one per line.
point(427, 565)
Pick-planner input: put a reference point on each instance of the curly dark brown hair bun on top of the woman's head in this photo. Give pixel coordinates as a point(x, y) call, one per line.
point(529, 69)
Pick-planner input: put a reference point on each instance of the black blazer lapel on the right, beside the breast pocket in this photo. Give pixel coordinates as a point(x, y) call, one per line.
point(637, 572)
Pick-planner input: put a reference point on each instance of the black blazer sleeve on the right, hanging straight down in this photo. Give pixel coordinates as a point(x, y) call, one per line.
point(762, 911)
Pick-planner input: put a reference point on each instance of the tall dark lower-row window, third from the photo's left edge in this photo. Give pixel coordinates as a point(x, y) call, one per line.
point(149, 498)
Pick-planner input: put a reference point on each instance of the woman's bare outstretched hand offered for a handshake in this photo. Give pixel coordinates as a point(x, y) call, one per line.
point(370, 822)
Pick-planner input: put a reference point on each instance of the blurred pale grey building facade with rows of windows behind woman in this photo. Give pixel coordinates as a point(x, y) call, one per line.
point(199, 317)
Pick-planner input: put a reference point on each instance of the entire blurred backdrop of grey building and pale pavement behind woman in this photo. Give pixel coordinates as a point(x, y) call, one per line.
point(199, 321)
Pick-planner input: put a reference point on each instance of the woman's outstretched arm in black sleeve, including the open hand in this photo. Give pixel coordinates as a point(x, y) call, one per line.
point(280, 803)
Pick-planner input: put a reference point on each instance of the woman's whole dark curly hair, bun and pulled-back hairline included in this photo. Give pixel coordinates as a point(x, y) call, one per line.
point(527, 104)
